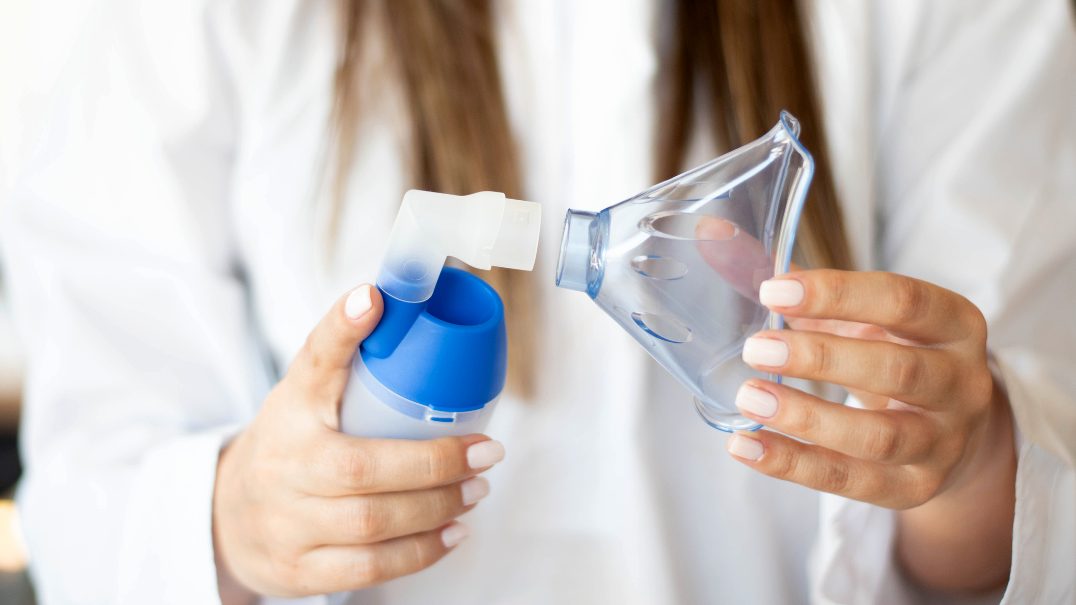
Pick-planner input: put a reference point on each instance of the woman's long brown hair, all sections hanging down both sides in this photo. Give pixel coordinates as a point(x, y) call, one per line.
point(748, 57)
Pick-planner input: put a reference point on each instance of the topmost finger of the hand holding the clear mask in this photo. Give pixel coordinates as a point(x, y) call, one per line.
point(905, 307)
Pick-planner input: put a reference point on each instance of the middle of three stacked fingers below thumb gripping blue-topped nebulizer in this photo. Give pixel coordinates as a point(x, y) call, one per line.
point(375, 518)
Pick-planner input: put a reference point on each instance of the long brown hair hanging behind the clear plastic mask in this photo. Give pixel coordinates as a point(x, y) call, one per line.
point(749, 61)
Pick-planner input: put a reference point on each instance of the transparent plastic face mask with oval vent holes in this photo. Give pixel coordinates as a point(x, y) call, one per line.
point(679, 265)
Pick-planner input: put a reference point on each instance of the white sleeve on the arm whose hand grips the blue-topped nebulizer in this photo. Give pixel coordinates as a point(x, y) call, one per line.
point(141, 358)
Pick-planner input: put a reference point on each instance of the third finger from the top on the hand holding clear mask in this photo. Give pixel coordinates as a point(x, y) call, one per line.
point(890, 437)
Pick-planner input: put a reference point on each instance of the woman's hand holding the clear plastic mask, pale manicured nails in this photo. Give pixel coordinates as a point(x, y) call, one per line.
point(936, 440)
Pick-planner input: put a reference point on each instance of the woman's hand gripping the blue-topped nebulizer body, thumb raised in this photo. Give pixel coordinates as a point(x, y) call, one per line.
point(301, 509)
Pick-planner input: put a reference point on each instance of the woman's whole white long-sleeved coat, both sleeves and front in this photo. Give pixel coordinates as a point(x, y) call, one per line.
point(166, 243)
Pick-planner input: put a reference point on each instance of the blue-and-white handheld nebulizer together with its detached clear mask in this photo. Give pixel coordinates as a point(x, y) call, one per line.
point(677, 266)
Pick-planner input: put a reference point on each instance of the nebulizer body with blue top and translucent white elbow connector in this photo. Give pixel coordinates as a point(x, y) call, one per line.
point(436, 364)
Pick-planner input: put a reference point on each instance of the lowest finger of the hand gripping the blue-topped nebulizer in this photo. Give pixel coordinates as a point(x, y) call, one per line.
point(339, 569)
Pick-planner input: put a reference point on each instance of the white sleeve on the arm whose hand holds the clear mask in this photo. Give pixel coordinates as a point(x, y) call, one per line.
point(978, 177)
